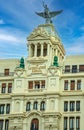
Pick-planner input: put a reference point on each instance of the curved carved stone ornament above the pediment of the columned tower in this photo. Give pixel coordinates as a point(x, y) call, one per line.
point(38, 32)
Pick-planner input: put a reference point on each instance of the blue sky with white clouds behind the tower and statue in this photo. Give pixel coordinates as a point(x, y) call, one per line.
point(18, 19)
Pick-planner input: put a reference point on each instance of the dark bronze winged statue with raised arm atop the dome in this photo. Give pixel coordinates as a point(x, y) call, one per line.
point(47, 14)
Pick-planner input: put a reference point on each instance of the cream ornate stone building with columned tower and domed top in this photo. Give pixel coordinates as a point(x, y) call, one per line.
point(45, 91)
